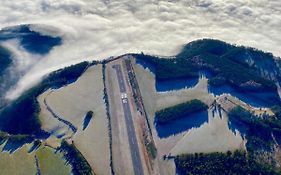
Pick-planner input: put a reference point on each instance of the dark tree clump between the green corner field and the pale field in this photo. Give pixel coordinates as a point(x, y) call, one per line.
point(79, 164)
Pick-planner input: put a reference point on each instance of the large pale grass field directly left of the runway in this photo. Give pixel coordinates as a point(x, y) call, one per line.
point(72, 103)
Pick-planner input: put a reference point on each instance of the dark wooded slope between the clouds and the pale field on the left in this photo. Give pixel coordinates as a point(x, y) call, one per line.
point(21, 116)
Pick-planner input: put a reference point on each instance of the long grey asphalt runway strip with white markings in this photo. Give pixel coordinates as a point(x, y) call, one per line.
point(135, 154)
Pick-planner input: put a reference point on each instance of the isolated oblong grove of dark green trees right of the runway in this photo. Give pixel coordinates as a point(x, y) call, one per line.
point(180, 110)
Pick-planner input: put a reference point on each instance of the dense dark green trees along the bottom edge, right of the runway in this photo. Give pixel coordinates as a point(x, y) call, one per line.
point(221, 164)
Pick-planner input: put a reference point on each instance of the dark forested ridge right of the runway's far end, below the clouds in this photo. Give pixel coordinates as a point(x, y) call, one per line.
point(228, 64)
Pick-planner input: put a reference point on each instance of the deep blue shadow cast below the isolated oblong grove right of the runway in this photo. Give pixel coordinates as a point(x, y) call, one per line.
point(180, 125)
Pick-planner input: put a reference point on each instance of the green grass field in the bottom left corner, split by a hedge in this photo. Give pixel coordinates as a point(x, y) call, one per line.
point(23, 163)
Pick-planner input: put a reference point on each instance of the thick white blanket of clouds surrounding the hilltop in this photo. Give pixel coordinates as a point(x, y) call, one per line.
point(97, 29)
